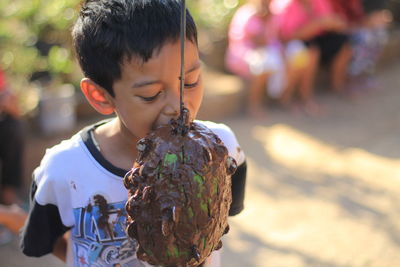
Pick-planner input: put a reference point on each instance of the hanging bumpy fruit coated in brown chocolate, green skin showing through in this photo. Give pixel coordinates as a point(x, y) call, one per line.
point(179, 195)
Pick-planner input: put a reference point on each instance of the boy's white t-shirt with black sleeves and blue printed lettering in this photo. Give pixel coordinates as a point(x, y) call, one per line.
point(75, 188)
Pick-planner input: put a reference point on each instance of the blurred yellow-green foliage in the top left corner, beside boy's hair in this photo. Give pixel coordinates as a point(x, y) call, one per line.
point(35, 36)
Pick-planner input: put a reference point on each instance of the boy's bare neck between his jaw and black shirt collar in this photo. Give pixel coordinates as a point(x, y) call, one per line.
point(116, 145)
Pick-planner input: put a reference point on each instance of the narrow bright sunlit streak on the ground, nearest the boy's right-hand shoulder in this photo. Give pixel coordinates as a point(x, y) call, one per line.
point(301, 152)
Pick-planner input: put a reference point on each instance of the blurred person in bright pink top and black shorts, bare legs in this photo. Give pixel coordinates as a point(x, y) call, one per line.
point(324, 33)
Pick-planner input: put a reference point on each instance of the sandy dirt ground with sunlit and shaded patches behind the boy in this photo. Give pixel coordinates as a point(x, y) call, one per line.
point(321, 191)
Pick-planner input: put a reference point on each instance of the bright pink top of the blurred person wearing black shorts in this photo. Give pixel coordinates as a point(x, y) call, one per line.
point(295, 16)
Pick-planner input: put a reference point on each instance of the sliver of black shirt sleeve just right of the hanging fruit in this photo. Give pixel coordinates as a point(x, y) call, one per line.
point(238, 188)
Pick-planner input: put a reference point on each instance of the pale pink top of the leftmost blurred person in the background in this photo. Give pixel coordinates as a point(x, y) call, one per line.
point(244, 27)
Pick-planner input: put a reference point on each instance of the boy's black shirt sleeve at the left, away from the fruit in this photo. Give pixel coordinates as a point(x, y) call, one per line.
point(42, 228)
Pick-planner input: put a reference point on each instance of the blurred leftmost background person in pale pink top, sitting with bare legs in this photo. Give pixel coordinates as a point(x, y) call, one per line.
point(256, 53)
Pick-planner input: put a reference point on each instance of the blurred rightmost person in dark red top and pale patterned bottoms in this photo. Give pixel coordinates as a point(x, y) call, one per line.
point(368, 22)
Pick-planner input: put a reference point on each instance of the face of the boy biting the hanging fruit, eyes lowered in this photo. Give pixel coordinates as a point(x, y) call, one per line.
point(147, 95)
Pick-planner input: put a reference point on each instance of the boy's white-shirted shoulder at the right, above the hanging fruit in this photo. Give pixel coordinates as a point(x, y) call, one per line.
point(227, 136)
